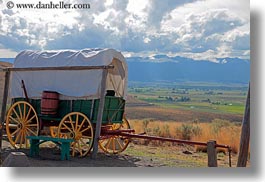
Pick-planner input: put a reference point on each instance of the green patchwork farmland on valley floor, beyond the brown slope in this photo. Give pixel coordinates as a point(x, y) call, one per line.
point(229, 99)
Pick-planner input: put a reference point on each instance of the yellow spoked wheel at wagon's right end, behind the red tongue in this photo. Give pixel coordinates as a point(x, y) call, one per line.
point(116, 144)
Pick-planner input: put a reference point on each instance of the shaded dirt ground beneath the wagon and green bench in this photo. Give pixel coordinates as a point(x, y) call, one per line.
point(50, 157)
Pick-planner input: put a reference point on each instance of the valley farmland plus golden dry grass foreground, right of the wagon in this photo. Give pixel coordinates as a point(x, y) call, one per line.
point(189, 111)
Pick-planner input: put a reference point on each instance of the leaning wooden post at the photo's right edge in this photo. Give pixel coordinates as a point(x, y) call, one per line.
point(245, 135)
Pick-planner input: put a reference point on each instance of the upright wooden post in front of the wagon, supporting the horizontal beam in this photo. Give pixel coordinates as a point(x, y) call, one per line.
point(100, 113)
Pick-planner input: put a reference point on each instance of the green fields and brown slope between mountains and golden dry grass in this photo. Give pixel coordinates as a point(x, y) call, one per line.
point(186, 102)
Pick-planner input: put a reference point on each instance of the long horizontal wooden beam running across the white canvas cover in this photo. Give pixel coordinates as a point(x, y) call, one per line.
point(69, 68)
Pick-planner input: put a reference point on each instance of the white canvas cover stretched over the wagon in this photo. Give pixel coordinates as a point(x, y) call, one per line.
point(73, 84)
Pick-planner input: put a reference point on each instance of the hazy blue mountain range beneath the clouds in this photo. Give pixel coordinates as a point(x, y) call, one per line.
point(173, 69)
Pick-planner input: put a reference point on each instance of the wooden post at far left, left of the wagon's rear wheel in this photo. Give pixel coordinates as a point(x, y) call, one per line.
point(3, 110)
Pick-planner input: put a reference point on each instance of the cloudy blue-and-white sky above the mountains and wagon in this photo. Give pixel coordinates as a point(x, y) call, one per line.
point(197, 29)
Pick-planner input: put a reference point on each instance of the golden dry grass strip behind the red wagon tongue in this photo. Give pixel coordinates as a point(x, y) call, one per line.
point(223, 131)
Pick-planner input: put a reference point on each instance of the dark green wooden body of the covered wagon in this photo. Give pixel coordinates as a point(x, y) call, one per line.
point(113, 109)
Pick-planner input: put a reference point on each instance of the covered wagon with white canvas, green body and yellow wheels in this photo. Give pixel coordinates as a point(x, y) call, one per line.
point(76, 94)
